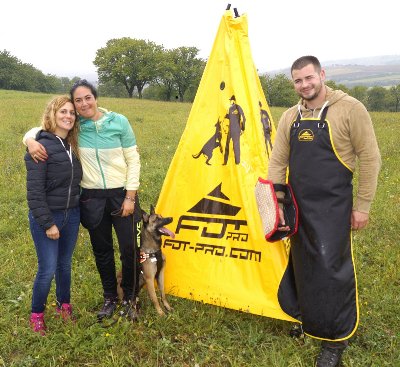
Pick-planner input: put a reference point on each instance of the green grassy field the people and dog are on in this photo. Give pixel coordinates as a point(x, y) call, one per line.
point(195, 334)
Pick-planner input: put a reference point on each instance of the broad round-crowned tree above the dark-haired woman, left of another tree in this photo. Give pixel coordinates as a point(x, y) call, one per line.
point(130, 62)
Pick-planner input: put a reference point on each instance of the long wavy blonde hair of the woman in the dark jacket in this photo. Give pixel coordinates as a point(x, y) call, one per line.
point(49, 121)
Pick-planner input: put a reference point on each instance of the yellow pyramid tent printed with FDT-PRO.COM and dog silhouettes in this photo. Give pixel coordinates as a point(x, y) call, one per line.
point(219, 254)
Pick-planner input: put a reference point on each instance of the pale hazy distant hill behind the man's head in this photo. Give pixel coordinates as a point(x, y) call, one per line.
point(369, 71)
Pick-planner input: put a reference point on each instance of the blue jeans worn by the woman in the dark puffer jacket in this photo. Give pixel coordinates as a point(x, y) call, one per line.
point(54, 257)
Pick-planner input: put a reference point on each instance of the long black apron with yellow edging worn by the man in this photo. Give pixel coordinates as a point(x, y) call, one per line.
point(319, 285)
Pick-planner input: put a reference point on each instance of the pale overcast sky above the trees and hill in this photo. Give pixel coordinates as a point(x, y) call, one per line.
point(62, 37)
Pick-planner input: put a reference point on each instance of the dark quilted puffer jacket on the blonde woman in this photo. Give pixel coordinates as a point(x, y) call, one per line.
point(53, 184)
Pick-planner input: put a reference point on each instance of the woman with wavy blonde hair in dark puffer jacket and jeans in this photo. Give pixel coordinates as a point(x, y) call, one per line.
point(53, 200)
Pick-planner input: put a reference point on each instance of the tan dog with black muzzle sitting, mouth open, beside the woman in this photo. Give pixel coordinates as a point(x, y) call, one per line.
point(152, 260)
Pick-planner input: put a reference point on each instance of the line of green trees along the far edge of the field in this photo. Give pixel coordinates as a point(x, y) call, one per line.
point(129, 67)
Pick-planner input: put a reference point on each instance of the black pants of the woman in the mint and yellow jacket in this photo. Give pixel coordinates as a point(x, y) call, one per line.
point(101, 238)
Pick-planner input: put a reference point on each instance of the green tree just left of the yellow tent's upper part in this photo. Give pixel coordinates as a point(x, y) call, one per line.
point(187, 68)
